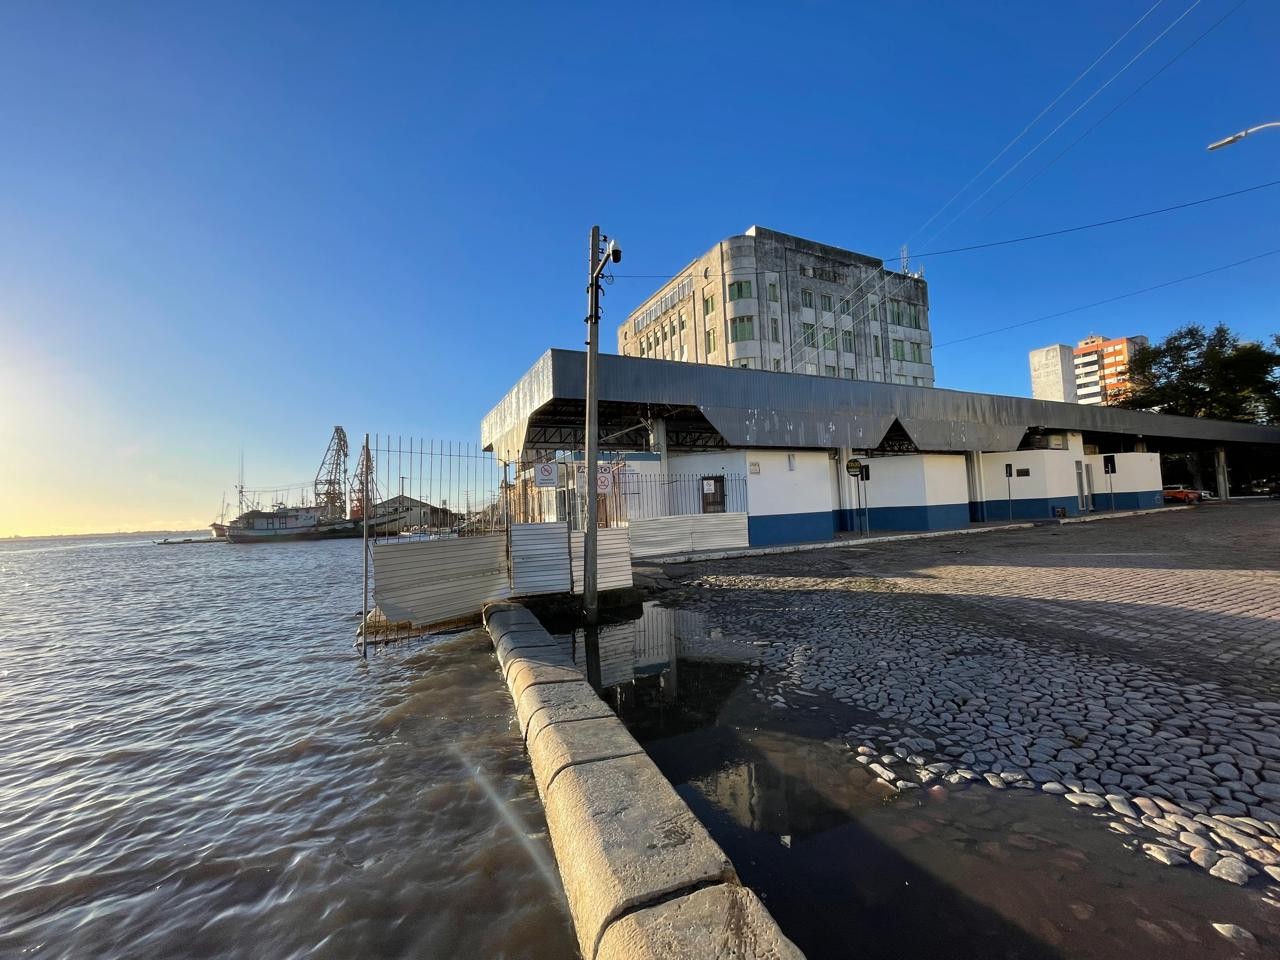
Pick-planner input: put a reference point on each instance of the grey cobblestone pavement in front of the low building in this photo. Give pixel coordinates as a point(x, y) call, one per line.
point(1130, 665)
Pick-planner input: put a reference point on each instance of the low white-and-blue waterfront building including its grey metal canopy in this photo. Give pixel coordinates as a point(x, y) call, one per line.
point(821, 456)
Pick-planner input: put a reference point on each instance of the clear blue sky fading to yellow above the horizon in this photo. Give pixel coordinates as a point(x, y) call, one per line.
point(228, 226)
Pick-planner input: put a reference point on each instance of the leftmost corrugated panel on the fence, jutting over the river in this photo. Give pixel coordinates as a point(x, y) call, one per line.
point(431, 582)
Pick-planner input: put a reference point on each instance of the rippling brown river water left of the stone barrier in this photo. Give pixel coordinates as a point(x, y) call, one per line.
point(198, 764)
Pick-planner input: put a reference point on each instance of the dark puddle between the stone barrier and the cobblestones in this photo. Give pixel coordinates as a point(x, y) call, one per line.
point(947, 872)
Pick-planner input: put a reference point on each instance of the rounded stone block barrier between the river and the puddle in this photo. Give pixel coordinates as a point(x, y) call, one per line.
point(643, 879)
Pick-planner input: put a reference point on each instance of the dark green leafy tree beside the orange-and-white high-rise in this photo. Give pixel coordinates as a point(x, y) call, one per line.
point(1197, 374)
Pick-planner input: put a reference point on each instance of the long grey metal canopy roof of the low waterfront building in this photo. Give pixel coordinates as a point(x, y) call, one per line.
point(716, 406)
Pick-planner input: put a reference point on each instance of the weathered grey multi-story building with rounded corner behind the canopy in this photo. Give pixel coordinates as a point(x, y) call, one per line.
point(771, 301)
